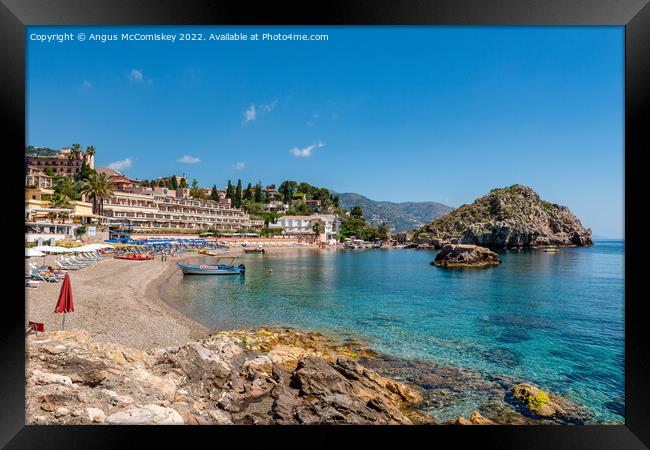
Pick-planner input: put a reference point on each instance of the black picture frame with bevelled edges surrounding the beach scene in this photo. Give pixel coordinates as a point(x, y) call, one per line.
point(634, 15)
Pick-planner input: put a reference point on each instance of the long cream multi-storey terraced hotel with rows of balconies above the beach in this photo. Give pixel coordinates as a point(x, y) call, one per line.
point(166, 209)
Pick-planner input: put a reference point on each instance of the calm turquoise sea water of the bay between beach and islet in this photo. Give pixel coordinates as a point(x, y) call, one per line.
point(555, 319)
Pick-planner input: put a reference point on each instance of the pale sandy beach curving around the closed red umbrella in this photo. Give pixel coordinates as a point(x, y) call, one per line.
point(117, 301)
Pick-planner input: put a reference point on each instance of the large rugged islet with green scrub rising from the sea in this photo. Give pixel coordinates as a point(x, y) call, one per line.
point(508, 217)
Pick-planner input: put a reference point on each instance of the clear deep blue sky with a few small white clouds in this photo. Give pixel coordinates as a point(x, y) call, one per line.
point(393, 113)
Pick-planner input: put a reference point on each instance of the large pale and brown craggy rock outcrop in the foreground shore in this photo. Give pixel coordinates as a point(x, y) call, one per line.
point(262, 376)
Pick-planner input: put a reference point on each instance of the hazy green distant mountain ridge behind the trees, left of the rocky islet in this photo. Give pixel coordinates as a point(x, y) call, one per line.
point(400, 216)
